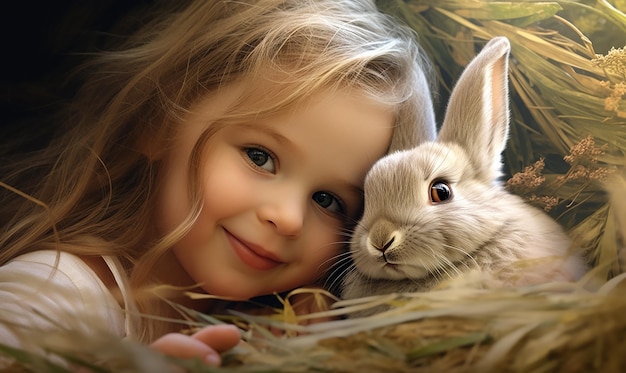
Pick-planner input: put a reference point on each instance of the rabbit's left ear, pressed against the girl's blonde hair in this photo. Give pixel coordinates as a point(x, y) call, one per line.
point(409, 133)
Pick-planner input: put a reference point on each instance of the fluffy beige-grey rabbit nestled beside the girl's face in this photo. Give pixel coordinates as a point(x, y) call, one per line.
point(438, 210)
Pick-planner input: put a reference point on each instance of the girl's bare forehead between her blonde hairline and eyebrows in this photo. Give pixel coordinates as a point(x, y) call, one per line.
point(343, 113)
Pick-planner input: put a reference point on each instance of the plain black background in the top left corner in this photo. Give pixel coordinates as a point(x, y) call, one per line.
point(42, 43)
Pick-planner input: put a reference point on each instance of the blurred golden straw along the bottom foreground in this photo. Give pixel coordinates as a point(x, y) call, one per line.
point(556, 327)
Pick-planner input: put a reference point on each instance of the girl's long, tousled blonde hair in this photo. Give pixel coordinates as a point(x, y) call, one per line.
point(95, 180)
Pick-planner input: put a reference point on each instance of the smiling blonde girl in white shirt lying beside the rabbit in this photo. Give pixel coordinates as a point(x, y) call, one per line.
point(224, 146)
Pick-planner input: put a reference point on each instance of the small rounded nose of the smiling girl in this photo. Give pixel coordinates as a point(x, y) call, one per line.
point(285, 214)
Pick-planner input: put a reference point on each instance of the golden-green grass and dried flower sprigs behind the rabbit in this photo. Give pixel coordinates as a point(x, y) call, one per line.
point(568, 81)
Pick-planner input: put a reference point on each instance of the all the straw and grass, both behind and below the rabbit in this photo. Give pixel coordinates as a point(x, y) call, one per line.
point(567, 154)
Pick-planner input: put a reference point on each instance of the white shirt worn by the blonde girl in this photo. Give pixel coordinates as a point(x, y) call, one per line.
point(47, 291)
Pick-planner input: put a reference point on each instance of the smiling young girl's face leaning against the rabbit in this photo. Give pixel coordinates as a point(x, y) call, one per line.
point(277, 193)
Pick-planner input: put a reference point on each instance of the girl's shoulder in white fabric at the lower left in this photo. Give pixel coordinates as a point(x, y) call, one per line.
point(60, 284)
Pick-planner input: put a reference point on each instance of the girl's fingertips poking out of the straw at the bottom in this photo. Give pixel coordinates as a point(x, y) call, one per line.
point(206, 344)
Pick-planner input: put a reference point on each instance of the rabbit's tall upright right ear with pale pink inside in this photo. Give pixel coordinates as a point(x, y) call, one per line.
point(477, 117)
